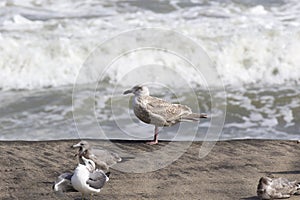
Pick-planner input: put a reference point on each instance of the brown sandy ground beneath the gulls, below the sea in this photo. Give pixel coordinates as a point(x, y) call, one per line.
point(231, 171)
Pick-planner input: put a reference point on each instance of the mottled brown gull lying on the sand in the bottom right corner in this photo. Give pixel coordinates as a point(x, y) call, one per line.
point(280, 188)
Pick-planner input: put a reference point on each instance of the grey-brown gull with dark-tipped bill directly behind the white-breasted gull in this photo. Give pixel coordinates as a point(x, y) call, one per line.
point(102, 158)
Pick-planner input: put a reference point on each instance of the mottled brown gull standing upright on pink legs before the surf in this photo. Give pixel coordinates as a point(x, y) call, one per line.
point(158, 112)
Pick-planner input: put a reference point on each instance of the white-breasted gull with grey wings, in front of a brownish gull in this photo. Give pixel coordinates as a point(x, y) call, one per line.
point(85, 179)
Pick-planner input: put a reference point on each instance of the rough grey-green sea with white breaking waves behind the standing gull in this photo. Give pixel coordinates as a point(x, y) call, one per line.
point(254, 46)
